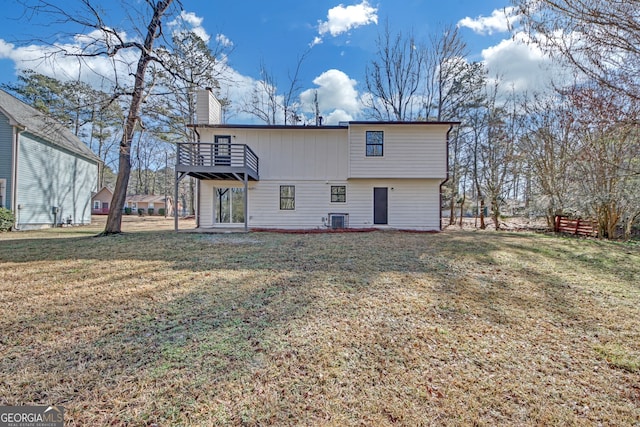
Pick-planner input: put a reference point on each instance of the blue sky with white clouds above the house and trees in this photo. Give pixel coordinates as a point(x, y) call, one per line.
point(337, 39)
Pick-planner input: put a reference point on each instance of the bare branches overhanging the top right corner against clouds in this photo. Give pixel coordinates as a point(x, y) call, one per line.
point(599, 37)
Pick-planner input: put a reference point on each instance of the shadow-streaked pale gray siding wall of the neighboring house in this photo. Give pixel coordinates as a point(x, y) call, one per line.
point(49, 176)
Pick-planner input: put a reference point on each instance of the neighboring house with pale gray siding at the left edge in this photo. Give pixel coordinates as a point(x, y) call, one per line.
point(47, 175)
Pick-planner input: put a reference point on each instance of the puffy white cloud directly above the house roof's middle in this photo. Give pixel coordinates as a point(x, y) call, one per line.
point(337, 97)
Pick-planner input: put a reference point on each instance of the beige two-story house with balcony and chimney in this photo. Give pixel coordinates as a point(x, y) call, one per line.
point(356, 174)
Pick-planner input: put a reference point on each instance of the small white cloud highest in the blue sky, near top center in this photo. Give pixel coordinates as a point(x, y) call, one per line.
point(341, 19)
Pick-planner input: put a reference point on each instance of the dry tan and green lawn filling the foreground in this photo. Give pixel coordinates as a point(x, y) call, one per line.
point(455, 328)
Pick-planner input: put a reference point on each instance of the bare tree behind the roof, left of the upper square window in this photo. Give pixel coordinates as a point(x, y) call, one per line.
point(393, 80)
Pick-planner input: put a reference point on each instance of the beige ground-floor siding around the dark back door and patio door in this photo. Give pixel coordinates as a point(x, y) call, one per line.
point(412, 203)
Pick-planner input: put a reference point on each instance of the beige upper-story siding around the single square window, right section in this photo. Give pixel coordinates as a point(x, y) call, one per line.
point(411, 151)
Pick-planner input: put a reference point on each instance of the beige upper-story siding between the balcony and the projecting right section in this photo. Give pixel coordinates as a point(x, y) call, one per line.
point(292, 154)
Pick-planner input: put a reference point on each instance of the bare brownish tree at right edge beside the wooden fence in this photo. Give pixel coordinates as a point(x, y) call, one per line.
point(609, 152)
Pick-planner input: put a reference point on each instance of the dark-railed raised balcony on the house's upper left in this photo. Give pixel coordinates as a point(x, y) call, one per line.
point(208, 160)
